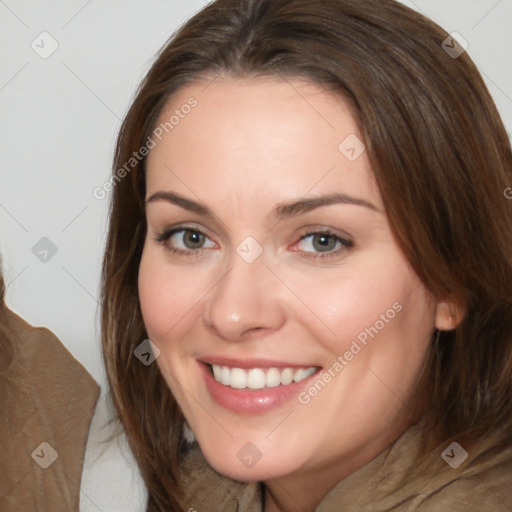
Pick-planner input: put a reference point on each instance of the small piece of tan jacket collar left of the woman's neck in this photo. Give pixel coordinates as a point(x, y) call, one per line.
point(209, 491)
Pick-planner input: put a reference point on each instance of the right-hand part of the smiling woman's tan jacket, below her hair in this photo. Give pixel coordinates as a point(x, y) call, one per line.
point(400, 481)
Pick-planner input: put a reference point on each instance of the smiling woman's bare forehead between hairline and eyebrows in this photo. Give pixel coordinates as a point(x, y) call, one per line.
point(258, 136)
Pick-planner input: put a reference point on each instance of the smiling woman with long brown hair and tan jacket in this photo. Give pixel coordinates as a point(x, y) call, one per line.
point(312, 232)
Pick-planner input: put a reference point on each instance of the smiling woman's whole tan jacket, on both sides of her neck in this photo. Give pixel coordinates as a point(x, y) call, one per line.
point(469, 488)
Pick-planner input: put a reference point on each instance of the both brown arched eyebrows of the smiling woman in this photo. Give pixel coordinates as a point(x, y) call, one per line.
point(280, 211)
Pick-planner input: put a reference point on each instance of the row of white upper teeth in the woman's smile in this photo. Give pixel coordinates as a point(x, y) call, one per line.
point(256, 378)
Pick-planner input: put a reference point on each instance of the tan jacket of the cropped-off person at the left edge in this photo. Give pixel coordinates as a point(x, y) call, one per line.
point(47, 401)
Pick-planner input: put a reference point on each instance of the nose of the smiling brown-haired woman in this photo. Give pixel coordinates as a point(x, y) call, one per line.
point(244, 301)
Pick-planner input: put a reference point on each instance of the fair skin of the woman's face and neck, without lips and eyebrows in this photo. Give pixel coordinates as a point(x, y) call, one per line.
point(247, 146)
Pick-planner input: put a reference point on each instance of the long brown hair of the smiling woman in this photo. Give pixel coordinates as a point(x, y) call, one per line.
point(441, 158)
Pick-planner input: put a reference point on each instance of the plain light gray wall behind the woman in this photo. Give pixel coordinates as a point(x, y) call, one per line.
point(59, 118)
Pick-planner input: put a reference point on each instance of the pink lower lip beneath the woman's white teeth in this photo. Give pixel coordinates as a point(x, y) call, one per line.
point(244, 401)
